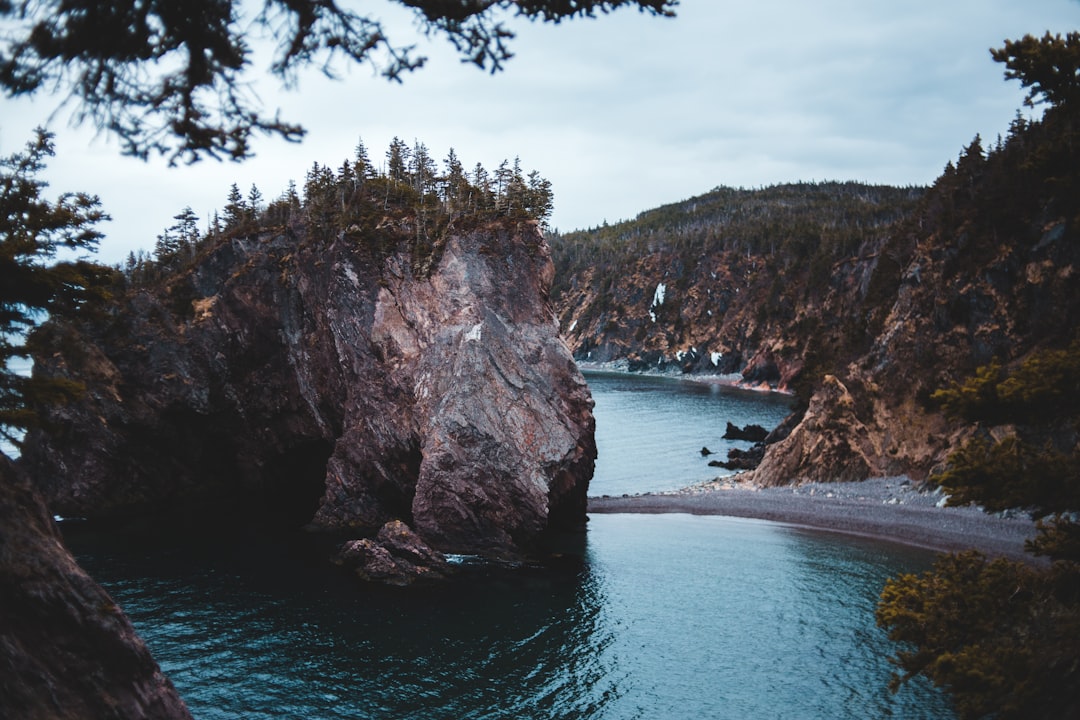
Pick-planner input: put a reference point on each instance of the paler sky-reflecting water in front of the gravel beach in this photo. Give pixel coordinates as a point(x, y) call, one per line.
point(728, 618)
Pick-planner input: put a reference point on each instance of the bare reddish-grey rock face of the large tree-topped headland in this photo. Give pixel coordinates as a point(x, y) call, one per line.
point(340, 384)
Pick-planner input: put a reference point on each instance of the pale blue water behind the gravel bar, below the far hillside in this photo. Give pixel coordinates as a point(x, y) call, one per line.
point(651, 430)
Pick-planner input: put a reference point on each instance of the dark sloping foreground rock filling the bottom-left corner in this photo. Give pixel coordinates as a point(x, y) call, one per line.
point(66, 649)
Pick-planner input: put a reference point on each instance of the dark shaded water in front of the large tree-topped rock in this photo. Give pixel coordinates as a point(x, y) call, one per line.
point(269, 630)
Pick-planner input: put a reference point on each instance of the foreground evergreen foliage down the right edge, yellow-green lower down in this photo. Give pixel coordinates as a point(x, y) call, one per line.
point(1004, 637)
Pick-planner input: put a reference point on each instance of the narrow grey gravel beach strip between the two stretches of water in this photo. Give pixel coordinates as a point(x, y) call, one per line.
point(888, 509)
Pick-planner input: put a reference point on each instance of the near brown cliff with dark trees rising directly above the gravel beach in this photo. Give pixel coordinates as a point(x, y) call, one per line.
point(985, 270)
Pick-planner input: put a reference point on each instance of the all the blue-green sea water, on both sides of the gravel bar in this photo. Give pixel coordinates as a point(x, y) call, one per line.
point(647, 617)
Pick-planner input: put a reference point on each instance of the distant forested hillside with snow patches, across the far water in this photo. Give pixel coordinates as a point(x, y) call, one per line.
point(731, 282)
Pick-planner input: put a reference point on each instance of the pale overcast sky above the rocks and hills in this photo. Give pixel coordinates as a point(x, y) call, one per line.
point(625, 113)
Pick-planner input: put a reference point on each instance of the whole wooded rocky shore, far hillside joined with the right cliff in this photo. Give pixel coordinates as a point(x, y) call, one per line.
point(862, 301)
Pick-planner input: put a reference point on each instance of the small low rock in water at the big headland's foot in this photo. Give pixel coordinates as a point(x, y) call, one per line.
point(397, 556)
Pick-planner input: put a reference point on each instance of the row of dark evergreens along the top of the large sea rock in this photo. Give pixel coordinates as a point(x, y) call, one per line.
point(410, 186)
